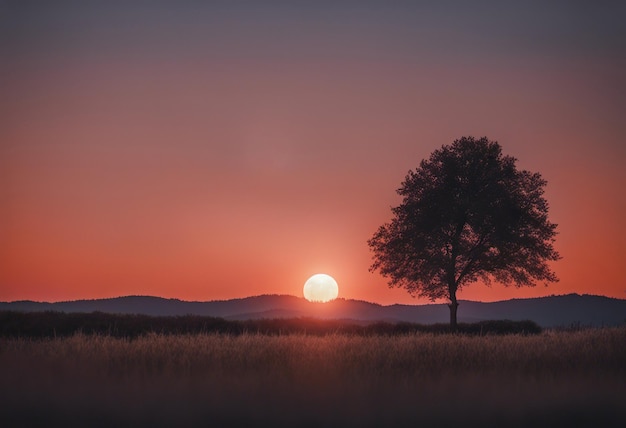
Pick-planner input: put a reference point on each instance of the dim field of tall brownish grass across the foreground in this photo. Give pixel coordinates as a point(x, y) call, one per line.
point(551, 379)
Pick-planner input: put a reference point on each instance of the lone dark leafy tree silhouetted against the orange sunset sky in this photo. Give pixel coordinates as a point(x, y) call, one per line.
point(467, 214)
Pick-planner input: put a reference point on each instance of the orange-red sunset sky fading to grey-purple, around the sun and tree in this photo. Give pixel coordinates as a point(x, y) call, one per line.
point(217, 150)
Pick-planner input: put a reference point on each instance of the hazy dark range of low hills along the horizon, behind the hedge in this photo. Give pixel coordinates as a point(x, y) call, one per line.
point(552, 311)
